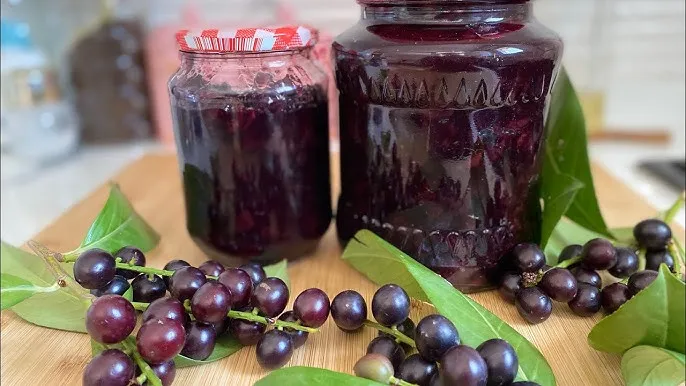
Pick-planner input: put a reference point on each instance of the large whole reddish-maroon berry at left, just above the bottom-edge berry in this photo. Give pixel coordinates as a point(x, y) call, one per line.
point(110, 319)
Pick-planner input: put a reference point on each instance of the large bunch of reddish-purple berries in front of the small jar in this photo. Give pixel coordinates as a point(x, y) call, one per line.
point(204, 304)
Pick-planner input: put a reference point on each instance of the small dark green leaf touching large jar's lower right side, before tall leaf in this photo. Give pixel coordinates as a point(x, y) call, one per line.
point(557, 192)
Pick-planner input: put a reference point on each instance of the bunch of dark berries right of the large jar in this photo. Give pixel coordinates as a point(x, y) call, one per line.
point(532, 285)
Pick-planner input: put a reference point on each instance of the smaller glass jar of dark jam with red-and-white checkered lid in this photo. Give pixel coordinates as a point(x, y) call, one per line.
point(250, 116)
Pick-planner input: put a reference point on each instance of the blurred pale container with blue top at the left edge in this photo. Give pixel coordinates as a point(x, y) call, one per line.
point(38, 125)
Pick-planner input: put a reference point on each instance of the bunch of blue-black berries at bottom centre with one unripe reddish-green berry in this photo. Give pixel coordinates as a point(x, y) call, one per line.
point(428, 354)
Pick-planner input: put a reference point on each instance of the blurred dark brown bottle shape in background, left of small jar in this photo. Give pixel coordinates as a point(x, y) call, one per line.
point(108, 74)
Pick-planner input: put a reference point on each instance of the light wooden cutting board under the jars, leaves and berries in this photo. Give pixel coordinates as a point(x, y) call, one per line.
point(33, 355)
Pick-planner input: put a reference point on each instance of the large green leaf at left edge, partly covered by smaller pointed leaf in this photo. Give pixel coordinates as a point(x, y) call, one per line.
point(60, 309)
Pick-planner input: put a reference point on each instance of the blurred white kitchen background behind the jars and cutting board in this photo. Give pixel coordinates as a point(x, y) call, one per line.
point(83, 87)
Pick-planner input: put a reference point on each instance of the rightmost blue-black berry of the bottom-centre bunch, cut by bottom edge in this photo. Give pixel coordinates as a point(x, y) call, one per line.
point(501, 360)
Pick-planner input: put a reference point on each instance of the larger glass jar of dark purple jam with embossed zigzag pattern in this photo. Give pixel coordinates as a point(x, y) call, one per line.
point(442, 109)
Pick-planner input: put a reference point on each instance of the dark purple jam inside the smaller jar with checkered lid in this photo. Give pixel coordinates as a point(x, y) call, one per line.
point(255, 169)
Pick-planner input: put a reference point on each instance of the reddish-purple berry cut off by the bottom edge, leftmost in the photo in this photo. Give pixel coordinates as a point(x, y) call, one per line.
point(111, 367)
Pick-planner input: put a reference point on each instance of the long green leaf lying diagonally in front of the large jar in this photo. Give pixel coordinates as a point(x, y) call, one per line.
point(382, 263)
